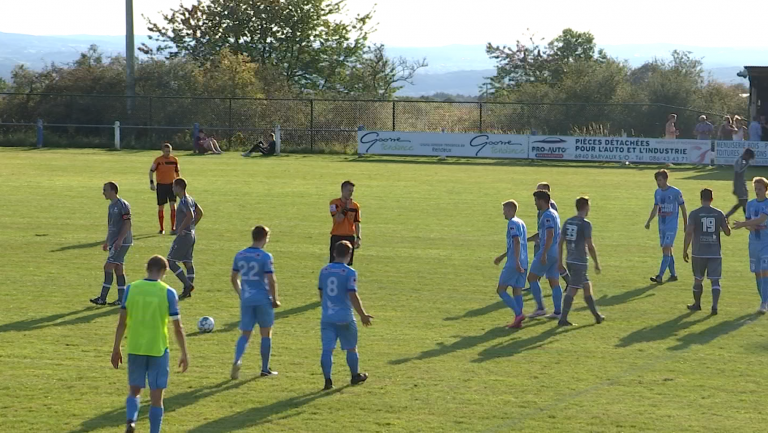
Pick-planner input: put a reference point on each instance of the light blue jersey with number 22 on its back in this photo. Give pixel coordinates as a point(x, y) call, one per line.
point(254, 264)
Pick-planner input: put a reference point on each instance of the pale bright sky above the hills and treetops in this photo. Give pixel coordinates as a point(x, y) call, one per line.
point(429, 23)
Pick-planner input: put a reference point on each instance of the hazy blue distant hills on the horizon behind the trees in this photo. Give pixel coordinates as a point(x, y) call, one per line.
point(455, 69)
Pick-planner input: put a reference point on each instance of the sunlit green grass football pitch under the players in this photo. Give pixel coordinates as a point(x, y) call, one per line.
point(438, 355)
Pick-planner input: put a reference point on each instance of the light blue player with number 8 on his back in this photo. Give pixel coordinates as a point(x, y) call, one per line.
point(338, 296)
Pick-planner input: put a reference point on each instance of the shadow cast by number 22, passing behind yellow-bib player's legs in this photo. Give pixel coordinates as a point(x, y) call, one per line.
point(116, 417)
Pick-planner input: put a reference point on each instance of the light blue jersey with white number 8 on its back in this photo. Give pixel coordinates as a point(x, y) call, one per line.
point(336, 281)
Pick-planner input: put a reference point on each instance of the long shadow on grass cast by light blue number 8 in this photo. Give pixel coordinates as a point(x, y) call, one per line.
point(256, 416)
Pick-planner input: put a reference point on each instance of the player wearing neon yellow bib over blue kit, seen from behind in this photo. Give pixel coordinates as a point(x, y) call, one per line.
point(147, 306)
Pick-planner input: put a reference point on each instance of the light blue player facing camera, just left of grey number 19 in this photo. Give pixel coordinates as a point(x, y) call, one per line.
point(668, 202)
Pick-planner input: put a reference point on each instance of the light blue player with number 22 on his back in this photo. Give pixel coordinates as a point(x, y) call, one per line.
point(253, 278)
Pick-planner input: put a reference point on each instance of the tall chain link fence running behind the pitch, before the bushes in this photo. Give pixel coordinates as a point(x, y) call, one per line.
point(309, 125)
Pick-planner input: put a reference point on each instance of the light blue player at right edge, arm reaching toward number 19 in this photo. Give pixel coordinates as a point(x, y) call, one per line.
point(757, 224)
